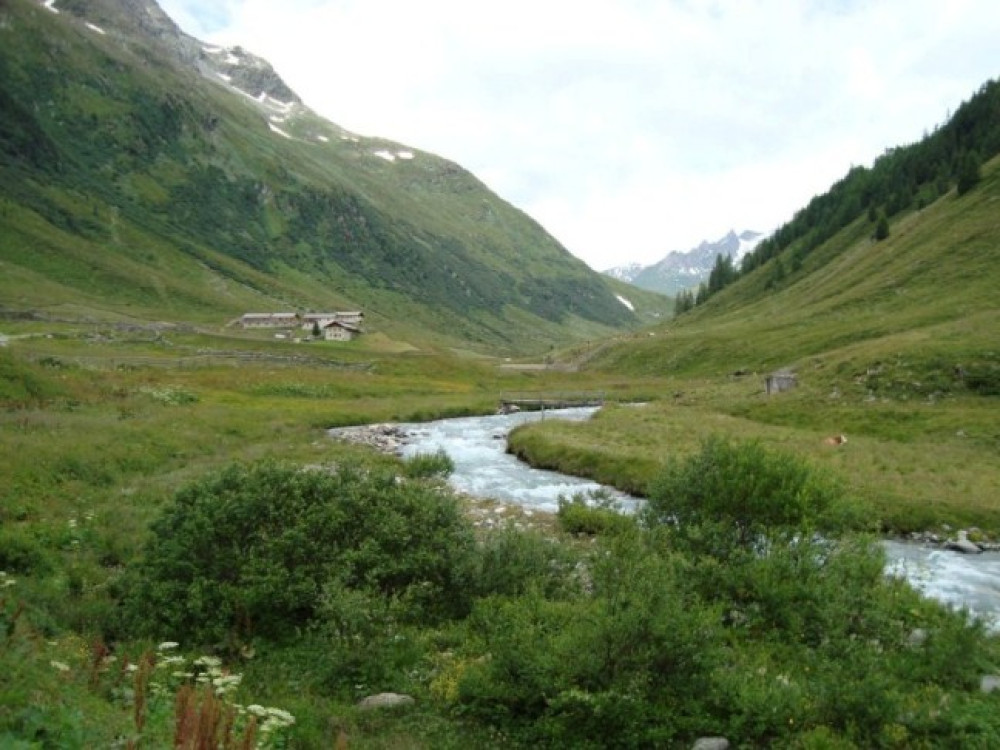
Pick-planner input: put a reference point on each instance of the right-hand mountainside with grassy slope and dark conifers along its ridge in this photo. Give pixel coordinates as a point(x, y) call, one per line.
point(914, 315)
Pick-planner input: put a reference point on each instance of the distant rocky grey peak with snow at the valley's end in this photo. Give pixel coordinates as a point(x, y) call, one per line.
point(683, 270)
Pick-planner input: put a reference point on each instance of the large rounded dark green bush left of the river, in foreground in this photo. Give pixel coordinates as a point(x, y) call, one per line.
point(250, 552)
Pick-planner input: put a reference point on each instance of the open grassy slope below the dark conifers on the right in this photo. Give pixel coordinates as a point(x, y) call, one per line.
point(855, 300)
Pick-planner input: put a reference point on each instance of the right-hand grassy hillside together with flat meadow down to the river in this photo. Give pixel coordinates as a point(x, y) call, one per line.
point(894, 342)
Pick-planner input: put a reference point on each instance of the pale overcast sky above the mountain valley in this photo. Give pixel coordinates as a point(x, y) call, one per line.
point(628, 128)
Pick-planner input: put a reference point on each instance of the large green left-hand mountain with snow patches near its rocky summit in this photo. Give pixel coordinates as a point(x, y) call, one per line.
point(146, 175)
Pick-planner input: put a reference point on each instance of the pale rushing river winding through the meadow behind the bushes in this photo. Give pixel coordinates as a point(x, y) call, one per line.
point(483, 468)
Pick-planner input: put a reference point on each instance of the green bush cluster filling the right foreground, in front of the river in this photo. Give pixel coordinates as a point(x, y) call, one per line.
point(726, 613)
